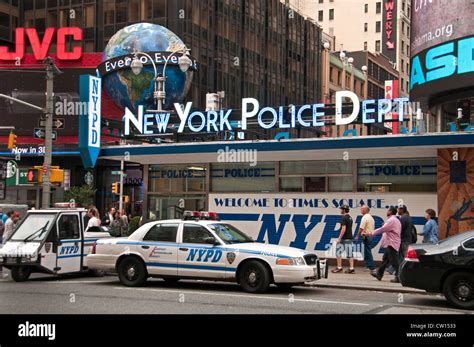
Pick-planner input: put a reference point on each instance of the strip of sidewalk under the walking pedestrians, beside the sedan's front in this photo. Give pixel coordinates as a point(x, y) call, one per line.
point(362, 280)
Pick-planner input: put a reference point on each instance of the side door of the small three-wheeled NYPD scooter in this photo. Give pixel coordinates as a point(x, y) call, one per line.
point(69, 256)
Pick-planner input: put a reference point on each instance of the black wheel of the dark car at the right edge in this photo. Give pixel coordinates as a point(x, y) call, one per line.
point(459, 290)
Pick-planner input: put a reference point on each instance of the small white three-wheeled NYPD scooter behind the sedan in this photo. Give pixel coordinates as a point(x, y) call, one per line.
point(51, 241)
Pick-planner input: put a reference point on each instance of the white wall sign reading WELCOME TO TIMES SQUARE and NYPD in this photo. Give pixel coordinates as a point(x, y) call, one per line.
point(311, 221)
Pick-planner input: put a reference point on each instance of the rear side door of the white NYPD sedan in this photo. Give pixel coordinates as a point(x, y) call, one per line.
point(159, 249)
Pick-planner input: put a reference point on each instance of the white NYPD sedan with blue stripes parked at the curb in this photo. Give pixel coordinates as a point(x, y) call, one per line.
point(199, 246)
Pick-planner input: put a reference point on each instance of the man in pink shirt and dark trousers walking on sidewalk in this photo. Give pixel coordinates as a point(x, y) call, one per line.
point(391, 232)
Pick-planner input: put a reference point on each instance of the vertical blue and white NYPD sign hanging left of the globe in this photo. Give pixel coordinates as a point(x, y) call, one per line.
point(90, 121)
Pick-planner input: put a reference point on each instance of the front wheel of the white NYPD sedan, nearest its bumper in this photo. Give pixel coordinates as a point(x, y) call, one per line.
point(254, 277)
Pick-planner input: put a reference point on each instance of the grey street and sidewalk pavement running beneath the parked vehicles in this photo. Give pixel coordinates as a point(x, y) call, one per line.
point(105, 295)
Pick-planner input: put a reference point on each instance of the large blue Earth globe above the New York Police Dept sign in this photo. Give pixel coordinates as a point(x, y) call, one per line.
point(130, 90)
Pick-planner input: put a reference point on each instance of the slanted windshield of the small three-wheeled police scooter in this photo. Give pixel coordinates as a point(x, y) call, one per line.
point(32, 223)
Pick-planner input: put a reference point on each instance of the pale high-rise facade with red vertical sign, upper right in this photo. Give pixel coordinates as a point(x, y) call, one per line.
point(378, 26)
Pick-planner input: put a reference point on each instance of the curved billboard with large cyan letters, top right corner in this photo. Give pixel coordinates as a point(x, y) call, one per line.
point(441, 47)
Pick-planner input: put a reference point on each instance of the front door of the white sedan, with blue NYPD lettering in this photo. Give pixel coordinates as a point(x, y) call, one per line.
point(197, 257)
